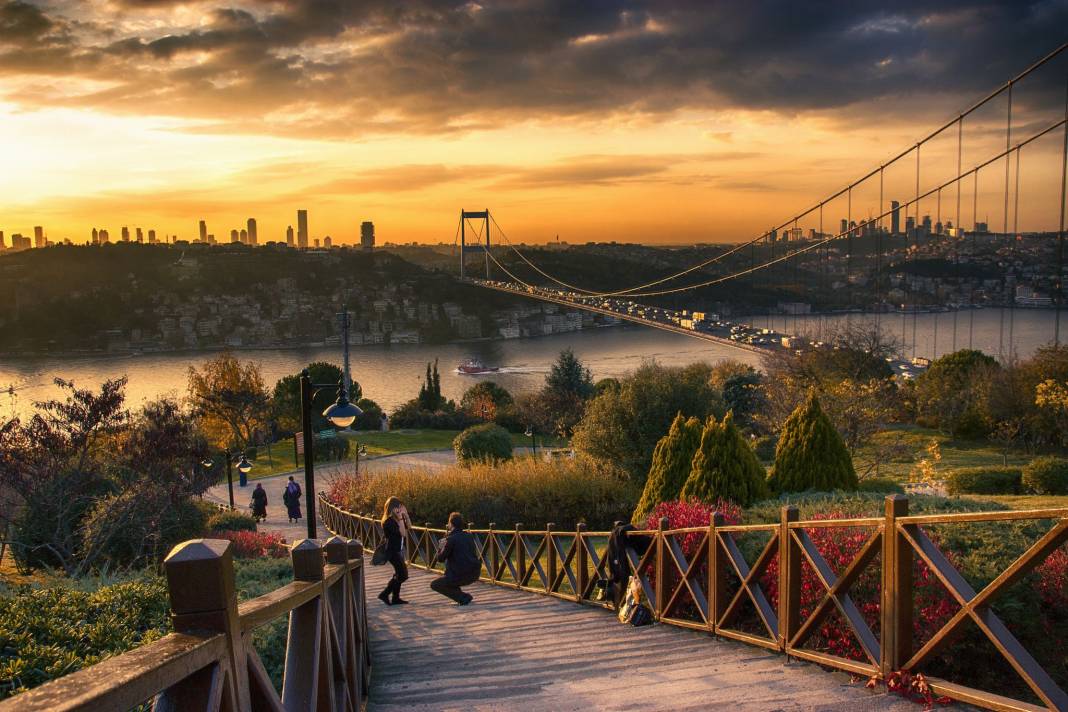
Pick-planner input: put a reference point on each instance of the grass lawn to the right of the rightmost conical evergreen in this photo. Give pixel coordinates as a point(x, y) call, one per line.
point(897, 451)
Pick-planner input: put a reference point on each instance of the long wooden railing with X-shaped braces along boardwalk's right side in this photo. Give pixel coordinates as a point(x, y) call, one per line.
point(696, 592)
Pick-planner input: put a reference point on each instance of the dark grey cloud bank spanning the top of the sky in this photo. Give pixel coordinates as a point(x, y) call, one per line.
point(341, 69)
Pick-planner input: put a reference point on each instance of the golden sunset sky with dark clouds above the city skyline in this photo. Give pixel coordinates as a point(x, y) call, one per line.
point(659, 122)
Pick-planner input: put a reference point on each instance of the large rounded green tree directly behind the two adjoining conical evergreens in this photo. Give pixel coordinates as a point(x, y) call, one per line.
point(623, 428)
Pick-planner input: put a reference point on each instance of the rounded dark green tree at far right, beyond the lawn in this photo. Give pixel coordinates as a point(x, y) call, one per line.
point(954, 393)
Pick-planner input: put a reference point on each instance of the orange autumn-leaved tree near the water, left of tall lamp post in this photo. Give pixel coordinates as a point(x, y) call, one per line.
point(230, 400)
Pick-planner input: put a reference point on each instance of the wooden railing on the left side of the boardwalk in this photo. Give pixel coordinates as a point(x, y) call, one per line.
point(210, 662)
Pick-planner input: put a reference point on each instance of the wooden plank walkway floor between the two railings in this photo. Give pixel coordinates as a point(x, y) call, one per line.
point(514, 651)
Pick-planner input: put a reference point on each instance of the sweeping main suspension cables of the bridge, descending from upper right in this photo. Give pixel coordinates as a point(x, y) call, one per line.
point(640, 291)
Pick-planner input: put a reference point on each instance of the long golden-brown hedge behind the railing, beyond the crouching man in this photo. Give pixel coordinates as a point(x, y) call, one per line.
point(530, 491)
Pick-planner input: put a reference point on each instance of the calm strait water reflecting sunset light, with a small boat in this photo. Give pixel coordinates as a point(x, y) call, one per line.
point(391, 375)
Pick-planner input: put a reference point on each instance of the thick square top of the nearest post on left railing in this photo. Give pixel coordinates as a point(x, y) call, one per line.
point(200, 576)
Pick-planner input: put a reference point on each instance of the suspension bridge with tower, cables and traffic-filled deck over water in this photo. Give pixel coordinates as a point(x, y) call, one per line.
point(874, 260)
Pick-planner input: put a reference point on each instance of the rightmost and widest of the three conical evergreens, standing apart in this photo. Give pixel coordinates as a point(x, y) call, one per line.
point(811, 454)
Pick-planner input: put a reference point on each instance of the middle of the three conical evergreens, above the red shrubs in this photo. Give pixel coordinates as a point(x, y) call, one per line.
point(725, 467)
